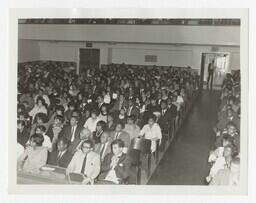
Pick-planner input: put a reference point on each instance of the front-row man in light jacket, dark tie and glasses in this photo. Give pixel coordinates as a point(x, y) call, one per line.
point(85, 162)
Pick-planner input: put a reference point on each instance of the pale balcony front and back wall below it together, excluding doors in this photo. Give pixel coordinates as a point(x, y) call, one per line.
point(172, 45)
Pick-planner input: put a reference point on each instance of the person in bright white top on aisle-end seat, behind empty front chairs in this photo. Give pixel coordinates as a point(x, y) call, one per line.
point(151, 131)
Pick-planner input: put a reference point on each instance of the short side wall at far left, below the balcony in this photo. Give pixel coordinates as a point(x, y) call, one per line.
point(28, 50)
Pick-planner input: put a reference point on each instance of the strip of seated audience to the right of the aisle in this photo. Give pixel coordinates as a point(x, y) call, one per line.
point(225, 157)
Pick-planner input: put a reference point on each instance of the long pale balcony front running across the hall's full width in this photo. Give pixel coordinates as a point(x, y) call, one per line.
point(212, 35)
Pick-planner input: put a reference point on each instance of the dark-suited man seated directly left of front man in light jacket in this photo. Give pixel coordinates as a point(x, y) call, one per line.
point(60, 157)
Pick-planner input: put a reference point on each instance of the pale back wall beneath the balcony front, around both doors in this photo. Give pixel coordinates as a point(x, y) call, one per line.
point(189, 55)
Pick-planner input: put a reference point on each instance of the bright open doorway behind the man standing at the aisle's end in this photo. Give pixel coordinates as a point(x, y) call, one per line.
point(221, 67)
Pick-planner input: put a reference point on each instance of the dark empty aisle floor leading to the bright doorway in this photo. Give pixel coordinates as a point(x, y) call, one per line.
point(185, 162)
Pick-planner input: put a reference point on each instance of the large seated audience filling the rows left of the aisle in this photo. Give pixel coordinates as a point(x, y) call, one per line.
point(86, 123)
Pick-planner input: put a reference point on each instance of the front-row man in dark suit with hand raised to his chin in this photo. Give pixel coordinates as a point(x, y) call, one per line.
point(116, 165)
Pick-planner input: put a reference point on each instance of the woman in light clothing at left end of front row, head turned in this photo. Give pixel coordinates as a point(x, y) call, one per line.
point(34, 156)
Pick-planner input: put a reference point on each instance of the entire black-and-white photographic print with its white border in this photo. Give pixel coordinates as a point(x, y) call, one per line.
point(129, 101)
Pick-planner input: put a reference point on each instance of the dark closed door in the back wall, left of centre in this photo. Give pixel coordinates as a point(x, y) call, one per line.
point(88, 58)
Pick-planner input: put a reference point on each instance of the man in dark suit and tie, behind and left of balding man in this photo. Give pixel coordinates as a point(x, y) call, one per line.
point(72, 130)
